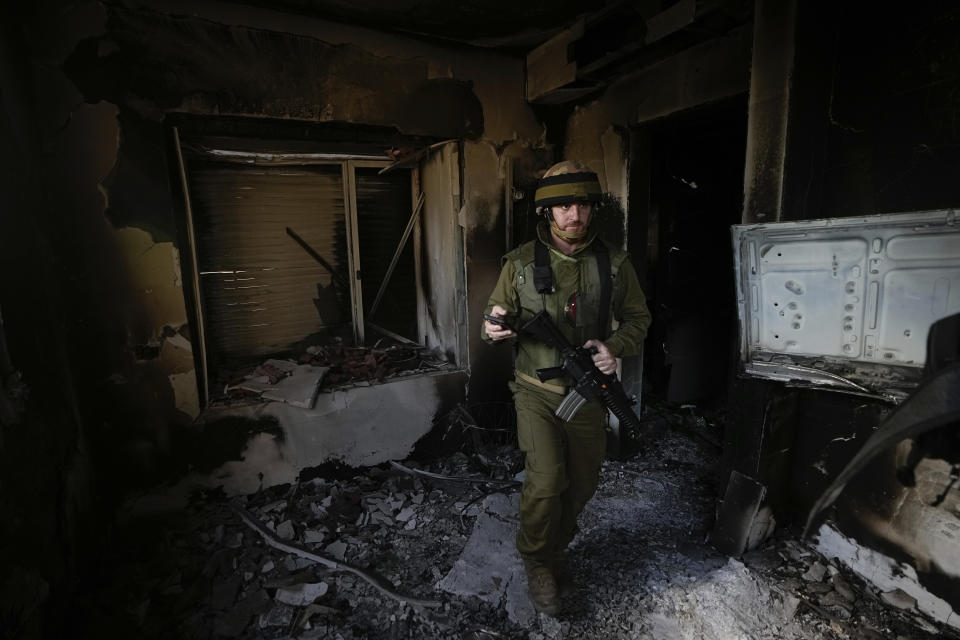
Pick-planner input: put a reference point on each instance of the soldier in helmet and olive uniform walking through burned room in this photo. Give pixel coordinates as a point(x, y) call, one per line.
point(582, 283)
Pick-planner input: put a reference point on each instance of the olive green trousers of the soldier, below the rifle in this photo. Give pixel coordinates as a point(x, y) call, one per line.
point(562, 468)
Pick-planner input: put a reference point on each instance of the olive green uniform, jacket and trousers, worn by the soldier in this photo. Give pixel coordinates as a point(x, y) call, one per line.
point(562, 458)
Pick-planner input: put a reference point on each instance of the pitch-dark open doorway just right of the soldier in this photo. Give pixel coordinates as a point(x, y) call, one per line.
point(696, 193)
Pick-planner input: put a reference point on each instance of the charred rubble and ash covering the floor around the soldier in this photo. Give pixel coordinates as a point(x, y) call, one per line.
point(642, 560)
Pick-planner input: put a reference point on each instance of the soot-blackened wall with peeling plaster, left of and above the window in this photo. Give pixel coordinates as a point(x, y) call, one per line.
point(92, 291)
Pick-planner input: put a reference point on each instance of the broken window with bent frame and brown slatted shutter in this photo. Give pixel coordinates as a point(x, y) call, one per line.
point(292, 250)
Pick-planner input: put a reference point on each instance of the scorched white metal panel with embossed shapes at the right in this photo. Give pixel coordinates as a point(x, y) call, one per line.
point(847, 297)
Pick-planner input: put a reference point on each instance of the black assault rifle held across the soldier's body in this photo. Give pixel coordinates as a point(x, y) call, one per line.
point(577, 362)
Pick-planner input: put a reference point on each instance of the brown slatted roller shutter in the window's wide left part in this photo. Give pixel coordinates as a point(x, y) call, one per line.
point(261, 291)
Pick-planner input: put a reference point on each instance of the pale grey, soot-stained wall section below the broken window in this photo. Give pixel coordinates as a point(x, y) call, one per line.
point(361, 426)
